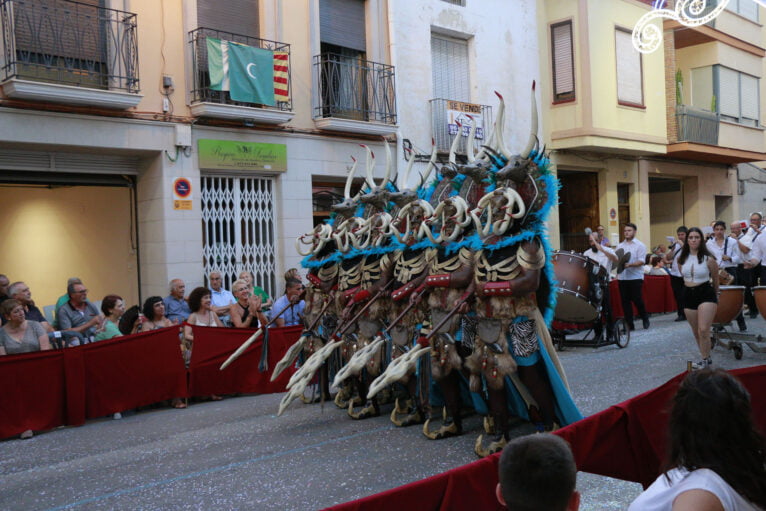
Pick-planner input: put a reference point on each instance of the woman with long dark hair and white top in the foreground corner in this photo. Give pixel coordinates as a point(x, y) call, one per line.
point(716, 457)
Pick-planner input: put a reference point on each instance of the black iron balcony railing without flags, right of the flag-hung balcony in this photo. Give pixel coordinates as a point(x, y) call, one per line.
point(351, 88)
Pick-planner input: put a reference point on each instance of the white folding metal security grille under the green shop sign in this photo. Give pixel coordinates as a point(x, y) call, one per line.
point(238, 229)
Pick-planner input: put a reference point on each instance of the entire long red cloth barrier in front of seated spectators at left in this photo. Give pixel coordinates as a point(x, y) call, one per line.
point(47, 389)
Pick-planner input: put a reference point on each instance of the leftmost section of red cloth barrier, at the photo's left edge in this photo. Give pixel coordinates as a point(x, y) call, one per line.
point(33, 392)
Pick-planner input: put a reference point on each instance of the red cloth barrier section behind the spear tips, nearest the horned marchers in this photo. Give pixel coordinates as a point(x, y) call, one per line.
point(212, 346)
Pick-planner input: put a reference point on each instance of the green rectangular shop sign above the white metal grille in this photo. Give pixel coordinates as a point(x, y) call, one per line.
point(234, 155)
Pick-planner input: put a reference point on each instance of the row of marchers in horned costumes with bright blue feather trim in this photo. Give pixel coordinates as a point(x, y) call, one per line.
point(475, 241)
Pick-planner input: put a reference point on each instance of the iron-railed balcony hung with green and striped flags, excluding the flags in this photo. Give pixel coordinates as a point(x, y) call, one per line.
point(208, 102)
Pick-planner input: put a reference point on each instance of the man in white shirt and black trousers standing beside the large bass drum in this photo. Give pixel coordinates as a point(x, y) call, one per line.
point(631, 279)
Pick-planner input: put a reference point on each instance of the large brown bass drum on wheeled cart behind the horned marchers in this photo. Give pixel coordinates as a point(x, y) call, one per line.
point(581, 288)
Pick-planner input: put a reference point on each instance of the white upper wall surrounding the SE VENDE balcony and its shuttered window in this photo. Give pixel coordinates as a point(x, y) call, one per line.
point(503, 57)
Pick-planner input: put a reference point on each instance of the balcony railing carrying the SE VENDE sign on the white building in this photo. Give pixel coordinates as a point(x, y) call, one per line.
point(445, 113)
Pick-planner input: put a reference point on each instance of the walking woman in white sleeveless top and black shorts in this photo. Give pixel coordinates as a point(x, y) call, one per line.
point(700, 296)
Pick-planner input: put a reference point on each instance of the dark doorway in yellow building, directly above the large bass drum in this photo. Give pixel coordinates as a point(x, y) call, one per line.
point(578, 208)
